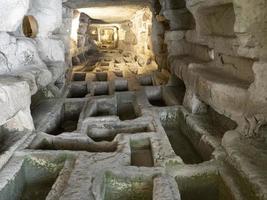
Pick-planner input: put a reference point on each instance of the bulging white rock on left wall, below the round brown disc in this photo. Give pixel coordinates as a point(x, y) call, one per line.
point(20, 57)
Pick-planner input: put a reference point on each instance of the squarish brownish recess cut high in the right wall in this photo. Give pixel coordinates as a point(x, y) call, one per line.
point(217, 20)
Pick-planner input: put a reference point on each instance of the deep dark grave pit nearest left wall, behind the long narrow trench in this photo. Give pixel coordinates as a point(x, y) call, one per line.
point(67, 118)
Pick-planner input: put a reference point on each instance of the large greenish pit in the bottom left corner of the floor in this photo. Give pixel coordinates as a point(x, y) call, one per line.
point(34, 180)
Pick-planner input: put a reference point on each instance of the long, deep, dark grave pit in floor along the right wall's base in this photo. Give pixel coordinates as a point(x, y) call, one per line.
point(186, 140)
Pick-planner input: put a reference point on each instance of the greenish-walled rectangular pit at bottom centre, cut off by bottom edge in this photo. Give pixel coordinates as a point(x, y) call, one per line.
point(127, 188)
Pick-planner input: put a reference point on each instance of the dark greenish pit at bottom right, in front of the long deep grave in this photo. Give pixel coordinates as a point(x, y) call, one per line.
point(203, 186)
